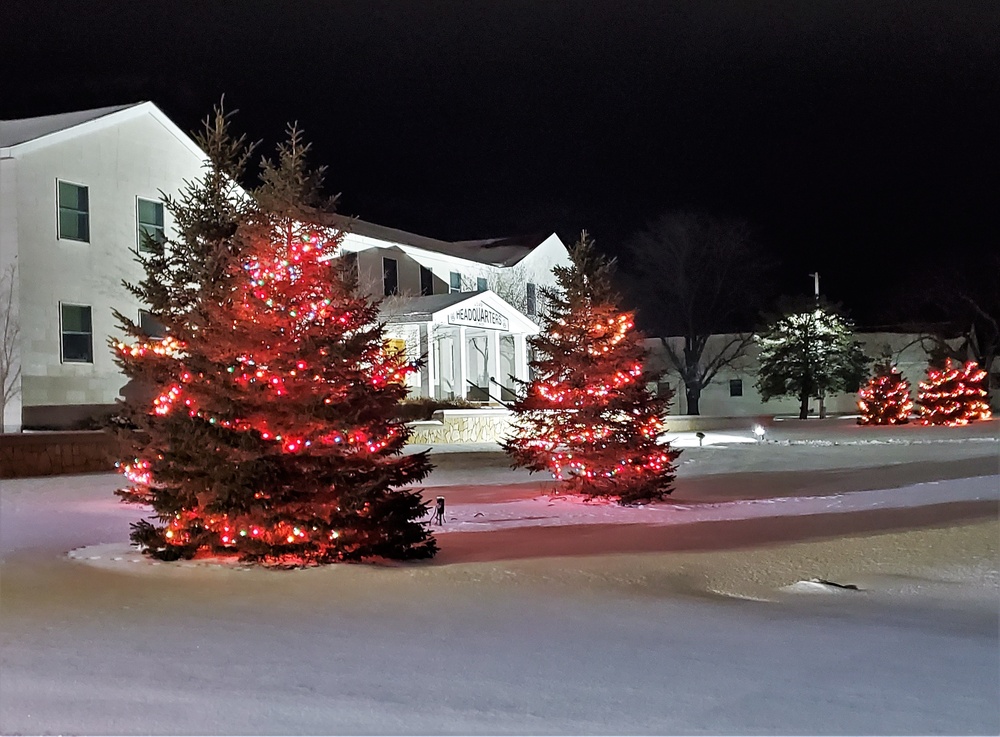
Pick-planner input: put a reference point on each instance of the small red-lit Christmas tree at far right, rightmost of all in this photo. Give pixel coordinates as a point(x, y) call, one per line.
point(953, 395)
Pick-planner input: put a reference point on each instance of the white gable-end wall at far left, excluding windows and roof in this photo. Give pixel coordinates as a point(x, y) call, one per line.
point(137, 156)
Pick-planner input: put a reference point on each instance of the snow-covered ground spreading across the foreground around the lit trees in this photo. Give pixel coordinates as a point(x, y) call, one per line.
point(691, 636)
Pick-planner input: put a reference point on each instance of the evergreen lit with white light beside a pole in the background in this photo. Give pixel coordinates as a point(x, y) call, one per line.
point(809, 352)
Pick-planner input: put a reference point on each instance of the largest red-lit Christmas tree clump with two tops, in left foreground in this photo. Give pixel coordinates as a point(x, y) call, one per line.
point(267, 428)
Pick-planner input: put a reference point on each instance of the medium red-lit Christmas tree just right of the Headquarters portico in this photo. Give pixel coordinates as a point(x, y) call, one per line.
point(588, 416)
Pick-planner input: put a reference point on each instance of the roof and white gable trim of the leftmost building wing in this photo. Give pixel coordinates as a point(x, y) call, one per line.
point(25, 134)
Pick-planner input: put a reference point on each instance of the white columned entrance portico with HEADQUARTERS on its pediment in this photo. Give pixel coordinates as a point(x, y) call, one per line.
point(473, 344)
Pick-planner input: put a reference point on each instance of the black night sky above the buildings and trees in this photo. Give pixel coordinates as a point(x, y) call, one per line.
point(841, 131)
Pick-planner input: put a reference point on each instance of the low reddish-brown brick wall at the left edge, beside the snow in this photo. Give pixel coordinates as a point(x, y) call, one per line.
point(52, 453)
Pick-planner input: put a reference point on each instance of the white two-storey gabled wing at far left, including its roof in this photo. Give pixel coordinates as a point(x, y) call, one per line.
point(75, 191)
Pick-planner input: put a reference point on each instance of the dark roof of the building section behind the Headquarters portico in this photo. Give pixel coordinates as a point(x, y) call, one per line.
point(494, 251)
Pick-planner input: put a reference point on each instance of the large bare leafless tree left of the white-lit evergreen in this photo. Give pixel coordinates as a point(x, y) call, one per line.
point(694, 276)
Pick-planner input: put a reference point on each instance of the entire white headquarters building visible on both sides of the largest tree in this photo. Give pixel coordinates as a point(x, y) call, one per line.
point(77, 189)
